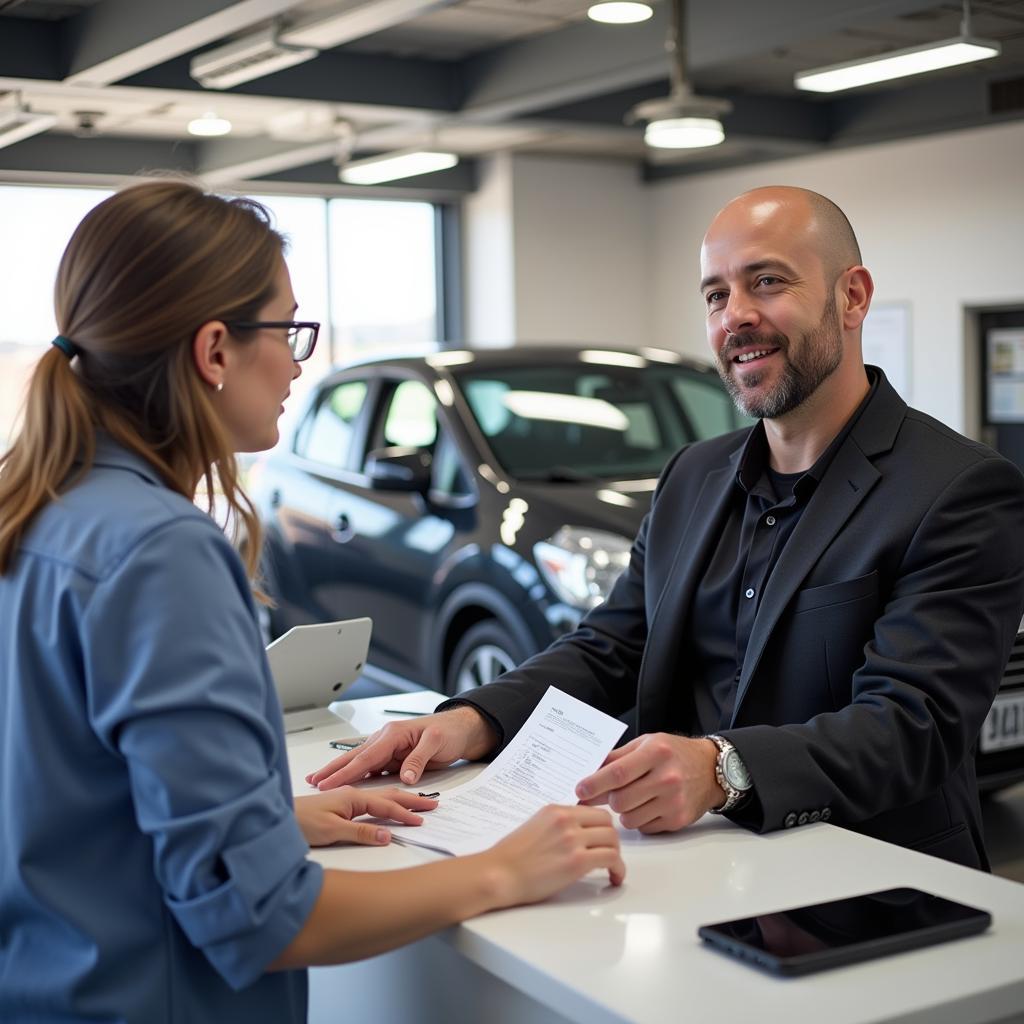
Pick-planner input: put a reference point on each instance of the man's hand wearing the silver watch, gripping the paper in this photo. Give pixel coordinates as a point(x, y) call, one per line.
point(657, 783)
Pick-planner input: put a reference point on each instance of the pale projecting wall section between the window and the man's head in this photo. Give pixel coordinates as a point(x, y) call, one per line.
point(558, 250)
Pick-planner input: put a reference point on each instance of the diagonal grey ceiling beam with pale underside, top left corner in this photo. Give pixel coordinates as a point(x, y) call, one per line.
point(117, 38)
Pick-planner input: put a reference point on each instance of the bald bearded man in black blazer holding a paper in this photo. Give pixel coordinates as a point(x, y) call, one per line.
point(818, 610)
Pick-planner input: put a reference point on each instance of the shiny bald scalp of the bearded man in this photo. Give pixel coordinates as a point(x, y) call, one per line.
point(818, 221)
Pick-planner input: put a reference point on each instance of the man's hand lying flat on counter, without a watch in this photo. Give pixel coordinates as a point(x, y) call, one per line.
point(412, 747)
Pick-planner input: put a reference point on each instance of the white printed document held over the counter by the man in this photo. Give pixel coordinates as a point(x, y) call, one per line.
point(562, 743)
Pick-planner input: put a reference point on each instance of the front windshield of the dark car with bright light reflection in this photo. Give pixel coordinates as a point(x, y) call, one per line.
point(578, 421)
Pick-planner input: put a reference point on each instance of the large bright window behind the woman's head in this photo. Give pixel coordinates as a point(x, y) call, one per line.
point(367, 270)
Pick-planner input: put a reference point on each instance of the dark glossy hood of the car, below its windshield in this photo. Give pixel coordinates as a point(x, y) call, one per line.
point(618, 506)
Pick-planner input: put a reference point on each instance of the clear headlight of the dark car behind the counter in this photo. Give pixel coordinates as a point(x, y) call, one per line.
point(582, 565)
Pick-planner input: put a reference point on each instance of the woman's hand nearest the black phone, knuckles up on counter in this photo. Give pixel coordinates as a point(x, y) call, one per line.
point(558, 846)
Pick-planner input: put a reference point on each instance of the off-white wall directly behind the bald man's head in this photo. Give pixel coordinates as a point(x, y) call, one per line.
point(941, 223)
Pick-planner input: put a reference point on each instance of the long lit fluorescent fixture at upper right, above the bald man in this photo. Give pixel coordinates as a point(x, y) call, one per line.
point(898, 64)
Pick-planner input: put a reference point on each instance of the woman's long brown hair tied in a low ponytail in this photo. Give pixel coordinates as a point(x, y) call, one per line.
point(144, 271)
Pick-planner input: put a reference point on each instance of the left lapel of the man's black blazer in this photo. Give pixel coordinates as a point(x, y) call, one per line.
point(667, 627)
